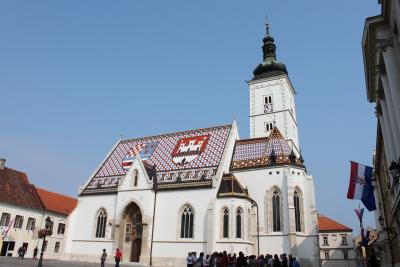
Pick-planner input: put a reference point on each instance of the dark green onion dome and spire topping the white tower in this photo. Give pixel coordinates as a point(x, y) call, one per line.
point(270, 66)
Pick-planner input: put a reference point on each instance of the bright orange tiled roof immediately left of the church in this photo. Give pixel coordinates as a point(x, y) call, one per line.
point(56, 202)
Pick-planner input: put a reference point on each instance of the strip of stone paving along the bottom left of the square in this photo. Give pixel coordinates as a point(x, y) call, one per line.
point(14, 262)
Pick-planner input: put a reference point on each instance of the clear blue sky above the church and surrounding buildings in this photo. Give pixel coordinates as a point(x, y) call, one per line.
point(75, 75)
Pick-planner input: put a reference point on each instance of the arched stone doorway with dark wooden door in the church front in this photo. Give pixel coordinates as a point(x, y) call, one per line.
point(133, 232)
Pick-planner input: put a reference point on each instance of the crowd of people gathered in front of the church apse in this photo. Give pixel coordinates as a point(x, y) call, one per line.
point(222, 259)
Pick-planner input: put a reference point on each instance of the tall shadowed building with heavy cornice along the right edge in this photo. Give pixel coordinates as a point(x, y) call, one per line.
point(381, 49)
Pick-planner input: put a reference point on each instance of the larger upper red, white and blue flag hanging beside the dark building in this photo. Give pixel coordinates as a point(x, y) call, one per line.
point(360, 185)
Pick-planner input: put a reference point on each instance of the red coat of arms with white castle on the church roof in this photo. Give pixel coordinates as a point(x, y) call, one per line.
point(189, 148)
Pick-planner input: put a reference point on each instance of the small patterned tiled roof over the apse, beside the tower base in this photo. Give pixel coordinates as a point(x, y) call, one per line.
point(264, 151)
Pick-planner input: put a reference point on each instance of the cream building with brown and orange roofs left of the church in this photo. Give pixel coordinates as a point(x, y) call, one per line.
point(26, 208)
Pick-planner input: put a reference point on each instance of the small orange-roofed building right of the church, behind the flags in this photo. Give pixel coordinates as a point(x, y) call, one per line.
point(335, 243)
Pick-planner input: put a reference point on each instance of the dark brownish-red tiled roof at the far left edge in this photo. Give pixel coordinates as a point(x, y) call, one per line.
point(15, 189)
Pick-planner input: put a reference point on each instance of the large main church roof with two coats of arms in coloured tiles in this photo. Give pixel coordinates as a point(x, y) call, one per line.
point(180, 157)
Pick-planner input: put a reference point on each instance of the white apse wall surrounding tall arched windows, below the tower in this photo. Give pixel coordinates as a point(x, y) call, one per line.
point(259, 183)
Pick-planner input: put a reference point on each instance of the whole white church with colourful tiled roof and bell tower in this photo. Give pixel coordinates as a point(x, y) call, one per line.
point(156, 198)
